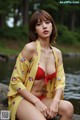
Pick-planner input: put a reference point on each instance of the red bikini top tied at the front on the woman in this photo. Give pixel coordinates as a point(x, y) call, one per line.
point(41, 75)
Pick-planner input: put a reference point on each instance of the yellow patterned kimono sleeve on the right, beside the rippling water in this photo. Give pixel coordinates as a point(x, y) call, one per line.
point(60, 77)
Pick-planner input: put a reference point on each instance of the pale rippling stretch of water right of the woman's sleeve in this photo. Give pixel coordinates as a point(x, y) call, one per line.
point(72, 89)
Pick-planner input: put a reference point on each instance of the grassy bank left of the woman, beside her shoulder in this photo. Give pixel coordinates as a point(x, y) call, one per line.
point(11, 47)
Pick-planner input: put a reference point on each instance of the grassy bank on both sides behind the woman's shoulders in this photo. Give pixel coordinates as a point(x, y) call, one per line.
point(11, 47)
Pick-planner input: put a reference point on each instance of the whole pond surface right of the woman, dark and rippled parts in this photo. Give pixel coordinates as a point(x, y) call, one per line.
point(72, 89)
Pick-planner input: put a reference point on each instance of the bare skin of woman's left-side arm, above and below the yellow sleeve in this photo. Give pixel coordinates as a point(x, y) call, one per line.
point(28, 53)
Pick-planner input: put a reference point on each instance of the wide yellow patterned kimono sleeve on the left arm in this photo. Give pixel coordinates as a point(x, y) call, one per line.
point(19, 73)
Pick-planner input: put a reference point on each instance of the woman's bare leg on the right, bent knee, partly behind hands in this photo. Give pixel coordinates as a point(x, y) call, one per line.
point(65, 108)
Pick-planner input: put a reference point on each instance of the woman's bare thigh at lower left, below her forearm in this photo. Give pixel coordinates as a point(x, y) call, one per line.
point(27, 111)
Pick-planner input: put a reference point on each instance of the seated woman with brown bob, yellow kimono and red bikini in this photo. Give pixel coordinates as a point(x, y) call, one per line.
point(38, 80)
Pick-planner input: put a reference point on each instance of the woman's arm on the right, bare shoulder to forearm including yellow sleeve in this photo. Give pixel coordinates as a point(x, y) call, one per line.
point(60, 78)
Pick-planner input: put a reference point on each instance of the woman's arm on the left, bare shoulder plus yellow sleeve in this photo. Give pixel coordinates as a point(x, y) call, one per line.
point(20, 70)
